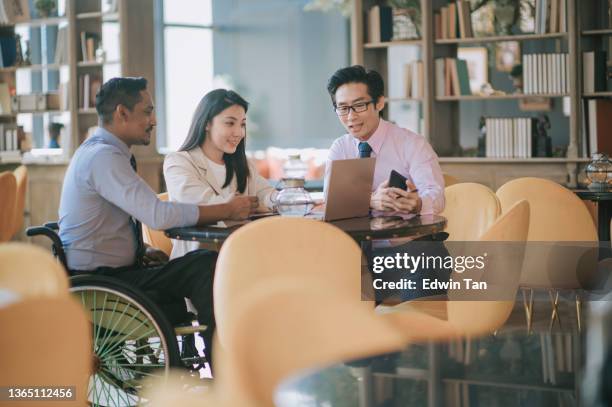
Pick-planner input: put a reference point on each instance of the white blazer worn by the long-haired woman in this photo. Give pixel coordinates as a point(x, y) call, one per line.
point(189, 180)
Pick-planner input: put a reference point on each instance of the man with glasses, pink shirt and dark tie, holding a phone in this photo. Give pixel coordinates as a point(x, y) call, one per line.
point(358, 98)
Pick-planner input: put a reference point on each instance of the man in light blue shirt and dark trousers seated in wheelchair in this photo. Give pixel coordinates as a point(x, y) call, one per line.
point(104, 201)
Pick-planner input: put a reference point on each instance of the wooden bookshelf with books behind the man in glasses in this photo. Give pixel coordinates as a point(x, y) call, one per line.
point(448, 136)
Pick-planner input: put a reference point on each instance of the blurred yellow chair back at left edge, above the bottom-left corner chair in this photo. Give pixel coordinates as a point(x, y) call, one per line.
point(31, 272)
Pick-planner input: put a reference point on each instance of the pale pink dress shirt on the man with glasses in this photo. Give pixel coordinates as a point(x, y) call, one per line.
point(401, 150)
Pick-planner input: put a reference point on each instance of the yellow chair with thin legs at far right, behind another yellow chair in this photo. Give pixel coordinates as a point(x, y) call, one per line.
point(557, 215)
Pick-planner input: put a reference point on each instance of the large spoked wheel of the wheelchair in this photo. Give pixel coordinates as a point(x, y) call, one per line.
point(132, 339)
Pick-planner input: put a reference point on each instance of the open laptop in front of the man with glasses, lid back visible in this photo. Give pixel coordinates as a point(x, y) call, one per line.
point(349, 189)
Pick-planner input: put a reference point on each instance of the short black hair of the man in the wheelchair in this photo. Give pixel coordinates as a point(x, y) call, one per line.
point(118, 91)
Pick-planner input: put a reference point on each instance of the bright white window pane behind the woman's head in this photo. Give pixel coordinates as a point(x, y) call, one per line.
point(184, 65)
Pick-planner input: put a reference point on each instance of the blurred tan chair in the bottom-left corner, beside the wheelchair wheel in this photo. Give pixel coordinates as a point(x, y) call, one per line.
point(46, 342)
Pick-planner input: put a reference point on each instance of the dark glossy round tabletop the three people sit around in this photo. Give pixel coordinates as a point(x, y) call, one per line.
point(361, 229)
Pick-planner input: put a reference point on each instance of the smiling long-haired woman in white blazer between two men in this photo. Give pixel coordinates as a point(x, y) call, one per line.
point(211, 165)
